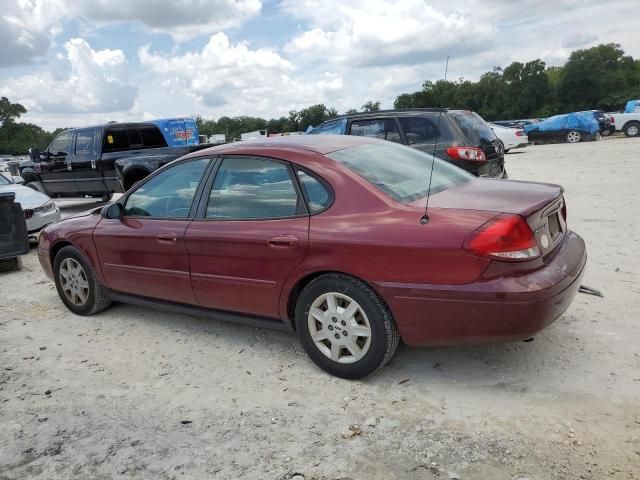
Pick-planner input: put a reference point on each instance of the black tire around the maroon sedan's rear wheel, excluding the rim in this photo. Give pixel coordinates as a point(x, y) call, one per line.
point(384, 337)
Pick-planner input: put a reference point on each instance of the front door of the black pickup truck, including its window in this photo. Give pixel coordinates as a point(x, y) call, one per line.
point(55, 168)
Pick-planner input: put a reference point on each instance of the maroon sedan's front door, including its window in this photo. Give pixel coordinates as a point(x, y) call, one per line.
point(144, 253)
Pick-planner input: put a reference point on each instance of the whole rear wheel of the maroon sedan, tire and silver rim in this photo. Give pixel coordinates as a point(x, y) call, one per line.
point(345, 327)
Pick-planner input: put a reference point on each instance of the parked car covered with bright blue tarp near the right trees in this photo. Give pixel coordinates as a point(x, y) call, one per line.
point(571, 128)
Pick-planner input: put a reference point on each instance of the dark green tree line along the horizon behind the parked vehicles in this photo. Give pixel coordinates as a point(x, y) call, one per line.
point(601, 77)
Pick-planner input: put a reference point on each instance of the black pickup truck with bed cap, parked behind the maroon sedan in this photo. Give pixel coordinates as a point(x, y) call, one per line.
point(98, 161)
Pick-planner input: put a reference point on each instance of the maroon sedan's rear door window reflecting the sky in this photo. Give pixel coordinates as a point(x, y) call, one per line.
point(249, 187)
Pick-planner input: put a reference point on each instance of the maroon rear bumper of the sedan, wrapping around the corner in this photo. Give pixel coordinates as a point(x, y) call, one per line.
point(504, 308)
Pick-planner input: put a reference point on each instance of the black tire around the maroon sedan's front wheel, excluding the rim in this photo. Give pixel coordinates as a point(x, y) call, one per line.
point(98, 296)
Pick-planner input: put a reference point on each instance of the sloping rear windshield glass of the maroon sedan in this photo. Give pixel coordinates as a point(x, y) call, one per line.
point(400, 172)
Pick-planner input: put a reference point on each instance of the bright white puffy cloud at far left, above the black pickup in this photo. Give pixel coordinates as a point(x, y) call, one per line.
point(97, 82)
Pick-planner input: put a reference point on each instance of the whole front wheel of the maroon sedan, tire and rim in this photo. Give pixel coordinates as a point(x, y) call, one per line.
point(76, 283)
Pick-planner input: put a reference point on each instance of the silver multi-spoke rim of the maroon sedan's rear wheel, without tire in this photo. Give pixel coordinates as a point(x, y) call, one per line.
point(339, 327)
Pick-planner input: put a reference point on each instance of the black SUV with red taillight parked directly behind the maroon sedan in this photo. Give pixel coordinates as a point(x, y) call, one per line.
point(460, 137)
